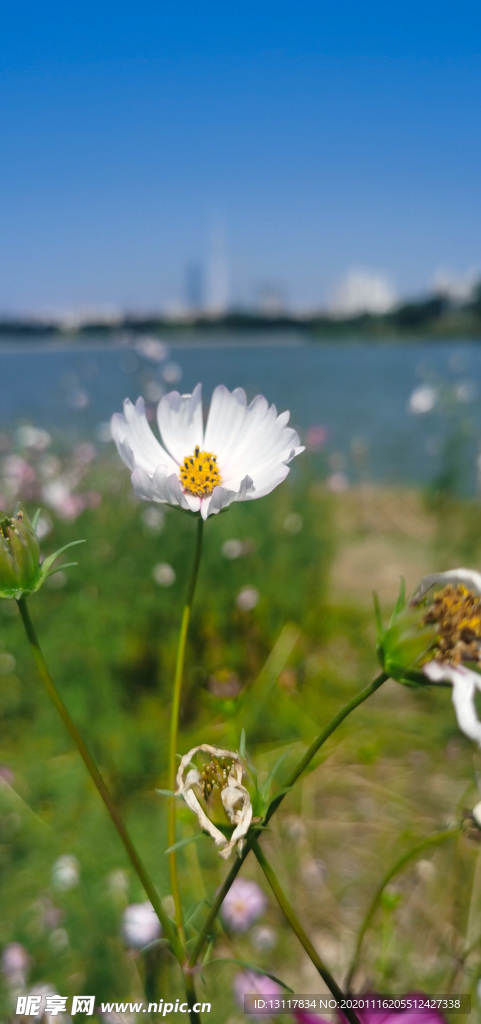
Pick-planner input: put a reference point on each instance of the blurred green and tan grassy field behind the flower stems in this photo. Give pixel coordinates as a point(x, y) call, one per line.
point(282, 636)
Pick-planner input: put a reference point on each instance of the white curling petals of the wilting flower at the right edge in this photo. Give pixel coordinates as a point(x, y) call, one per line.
point(466, 684)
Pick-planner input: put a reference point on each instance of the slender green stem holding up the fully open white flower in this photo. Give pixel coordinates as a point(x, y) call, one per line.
point(174, 723)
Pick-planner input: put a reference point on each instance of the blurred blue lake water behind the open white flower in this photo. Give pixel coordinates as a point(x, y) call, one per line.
point(391, 412)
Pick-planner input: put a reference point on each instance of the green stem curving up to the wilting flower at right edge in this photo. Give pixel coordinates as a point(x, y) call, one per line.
point(275, 804)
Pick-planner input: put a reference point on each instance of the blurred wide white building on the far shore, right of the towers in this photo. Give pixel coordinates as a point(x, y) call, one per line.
point(362, 292)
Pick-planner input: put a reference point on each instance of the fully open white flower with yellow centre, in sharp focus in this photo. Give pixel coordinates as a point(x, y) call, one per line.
point(243, 453)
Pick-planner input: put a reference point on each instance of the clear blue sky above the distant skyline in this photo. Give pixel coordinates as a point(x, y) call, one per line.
point(318, 137)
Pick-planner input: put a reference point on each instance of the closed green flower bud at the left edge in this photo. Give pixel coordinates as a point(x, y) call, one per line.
point(21, 571)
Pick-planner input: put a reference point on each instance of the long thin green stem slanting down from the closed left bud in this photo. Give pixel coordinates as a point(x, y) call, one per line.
point(92, 767)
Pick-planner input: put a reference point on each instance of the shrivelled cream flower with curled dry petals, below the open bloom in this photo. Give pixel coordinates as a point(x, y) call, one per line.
point(224, 774)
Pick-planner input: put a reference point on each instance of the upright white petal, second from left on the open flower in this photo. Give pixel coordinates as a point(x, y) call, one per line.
point(180, 418)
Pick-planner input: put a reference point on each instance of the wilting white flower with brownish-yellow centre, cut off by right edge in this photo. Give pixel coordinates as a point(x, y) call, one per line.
point(457, 613)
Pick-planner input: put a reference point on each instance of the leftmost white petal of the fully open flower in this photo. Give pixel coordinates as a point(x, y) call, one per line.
point(135, 440)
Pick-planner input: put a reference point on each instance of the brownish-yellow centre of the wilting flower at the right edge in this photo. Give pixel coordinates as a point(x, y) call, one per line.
point(457, 613)
